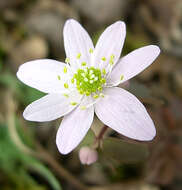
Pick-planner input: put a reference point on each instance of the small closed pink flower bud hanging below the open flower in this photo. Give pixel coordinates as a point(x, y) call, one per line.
point(88, 155)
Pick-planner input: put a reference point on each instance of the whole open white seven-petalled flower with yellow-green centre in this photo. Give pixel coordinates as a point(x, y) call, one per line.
point(86, 84)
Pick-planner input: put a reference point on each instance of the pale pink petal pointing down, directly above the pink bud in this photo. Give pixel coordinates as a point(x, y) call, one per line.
point(73, 128)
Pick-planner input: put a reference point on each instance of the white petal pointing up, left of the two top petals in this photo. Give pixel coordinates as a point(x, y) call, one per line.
point(76, 40)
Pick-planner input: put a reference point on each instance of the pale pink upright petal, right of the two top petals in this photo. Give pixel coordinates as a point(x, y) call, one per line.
point(109, 44)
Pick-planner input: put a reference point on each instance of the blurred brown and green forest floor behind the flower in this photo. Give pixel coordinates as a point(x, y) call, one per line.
point(29, 159)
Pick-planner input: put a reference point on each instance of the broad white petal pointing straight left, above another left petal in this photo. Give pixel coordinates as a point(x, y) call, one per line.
point(43, 75)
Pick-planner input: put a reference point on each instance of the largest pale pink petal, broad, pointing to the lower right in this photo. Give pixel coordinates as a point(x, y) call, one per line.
point(124, 113)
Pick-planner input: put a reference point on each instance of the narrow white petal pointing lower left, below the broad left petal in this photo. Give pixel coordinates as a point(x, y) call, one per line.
point(50, 107)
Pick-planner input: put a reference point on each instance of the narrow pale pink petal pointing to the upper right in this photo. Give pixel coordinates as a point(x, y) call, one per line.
point(133, 63)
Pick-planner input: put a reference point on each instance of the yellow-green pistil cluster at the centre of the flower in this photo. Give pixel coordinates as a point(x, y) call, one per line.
point(88, 80)
